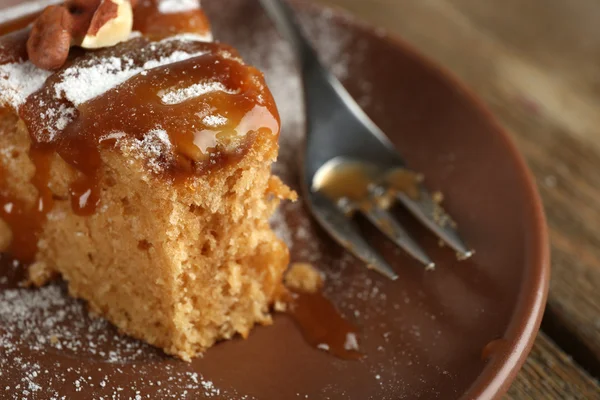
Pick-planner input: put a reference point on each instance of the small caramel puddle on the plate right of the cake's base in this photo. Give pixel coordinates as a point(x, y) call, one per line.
point(323, 326)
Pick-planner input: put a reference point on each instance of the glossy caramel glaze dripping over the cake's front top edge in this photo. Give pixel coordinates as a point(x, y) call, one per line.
point(135, 108)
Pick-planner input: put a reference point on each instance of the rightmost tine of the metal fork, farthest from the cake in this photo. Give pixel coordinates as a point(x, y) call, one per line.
point(433, 217)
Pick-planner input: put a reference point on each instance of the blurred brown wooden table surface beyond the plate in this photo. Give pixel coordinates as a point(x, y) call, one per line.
point(537, 65)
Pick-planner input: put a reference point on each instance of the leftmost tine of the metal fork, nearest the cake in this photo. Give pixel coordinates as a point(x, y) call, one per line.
point(343, 230)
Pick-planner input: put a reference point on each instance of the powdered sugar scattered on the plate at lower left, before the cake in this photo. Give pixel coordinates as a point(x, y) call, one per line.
point(47, 320)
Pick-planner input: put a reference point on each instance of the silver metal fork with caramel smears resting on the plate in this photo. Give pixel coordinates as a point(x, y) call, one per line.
point(341, 138)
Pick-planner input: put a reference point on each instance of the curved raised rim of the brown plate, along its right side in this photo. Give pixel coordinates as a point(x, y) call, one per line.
point(496, 378)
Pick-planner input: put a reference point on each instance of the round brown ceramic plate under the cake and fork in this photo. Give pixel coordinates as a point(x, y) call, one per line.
point(462, 331)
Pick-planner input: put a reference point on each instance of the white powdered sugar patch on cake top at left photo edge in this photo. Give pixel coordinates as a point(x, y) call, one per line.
point(18, 81)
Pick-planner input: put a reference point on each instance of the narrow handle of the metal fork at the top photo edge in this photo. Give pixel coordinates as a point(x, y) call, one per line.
point(287, 24)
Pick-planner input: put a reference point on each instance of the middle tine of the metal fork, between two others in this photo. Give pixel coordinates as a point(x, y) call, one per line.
point(387, 224)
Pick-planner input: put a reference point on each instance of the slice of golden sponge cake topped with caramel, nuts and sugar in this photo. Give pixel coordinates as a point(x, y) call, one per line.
point(141, 172)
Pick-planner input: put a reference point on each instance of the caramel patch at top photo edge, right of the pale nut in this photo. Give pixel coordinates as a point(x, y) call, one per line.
point(152, 23)
